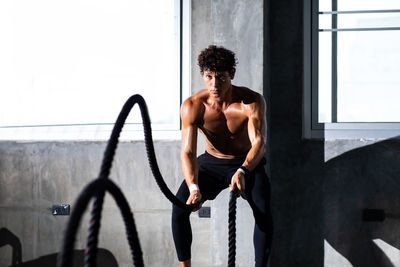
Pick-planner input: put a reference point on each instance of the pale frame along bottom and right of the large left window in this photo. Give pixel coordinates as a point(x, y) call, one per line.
point(131, 131)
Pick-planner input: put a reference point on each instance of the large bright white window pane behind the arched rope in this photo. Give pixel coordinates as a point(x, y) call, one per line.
point(75, 63)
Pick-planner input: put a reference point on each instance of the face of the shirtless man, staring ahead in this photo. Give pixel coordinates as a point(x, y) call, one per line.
point(218, 83)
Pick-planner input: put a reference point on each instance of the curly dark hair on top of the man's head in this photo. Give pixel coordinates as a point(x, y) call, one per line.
point(216, 59)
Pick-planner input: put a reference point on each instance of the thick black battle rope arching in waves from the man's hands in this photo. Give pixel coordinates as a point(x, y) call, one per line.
point(98, 187)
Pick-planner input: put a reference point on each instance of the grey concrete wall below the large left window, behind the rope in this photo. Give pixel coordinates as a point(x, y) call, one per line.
point(36, 175)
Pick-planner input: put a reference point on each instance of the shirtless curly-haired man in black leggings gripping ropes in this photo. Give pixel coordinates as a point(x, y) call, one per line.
point(233, 121)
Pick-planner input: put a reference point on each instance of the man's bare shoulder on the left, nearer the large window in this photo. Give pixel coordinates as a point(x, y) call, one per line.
point(192, 109)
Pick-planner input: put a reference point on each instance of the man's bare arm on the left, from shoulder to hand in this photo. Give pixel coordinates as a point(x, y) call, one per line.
point(189, 115)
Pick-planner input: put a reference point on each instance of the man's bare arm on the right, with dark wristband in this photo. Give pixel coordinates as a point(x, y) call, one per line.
point(257, 131)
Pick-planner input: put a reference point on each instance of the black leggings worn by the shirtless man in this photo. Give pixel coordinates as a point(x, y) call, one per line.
point(215, 175)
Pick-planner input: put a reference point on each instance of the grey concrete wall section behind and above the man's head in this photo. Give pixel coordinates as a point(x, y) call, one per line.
point(236, 25)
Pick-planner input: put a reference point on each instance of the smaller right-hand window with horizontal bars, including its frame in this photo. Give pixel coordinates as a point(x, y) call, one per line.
point(351, 63)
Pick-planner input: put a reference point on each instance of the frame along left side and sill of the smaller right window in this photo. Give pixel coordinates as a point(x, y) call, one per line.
point(312, 129)
